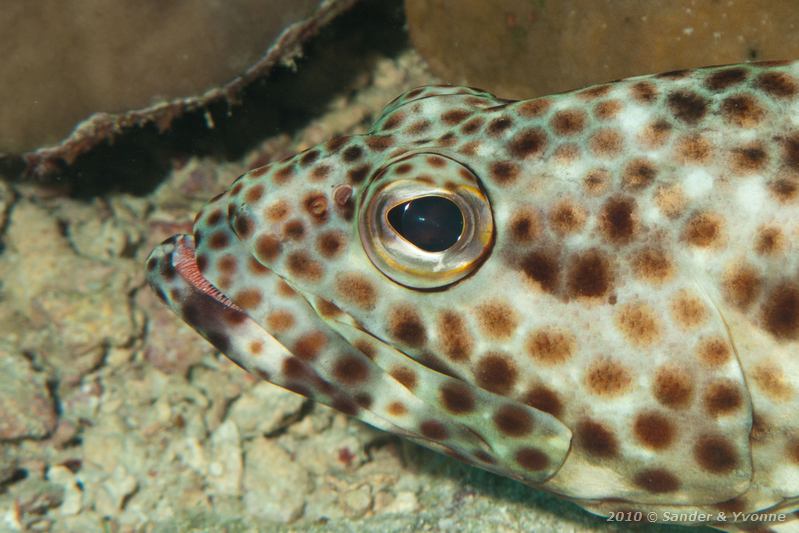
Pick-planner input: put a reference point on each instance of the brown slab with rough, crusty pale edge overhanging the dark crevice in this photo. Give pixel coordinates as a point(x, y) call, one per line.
point(133, 64)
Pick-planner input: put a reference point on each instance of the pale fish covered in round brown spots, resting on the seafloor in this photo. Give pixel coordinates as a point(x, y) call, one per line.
point(595, 293)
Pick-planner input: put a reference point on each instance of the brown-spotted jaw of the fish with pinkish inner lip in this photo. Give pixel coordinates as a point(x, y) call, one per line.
point(341, 374)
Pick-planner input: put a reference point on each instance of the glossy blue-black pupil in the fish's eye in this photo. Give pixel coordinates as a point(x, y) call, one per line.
point(431, 223)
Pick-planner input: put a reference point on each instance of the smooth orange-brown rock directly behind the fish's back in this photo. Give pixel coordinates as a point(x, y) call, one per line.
point(539, 48)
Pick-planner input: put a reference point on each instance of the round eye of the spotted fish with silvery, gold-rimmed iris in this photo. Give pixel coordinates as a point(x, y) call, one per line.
point(425, 222)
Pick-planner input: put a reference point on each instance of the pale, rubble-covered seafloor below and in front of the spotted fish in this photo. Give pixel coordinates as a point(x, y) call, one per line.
point(115, 416)
